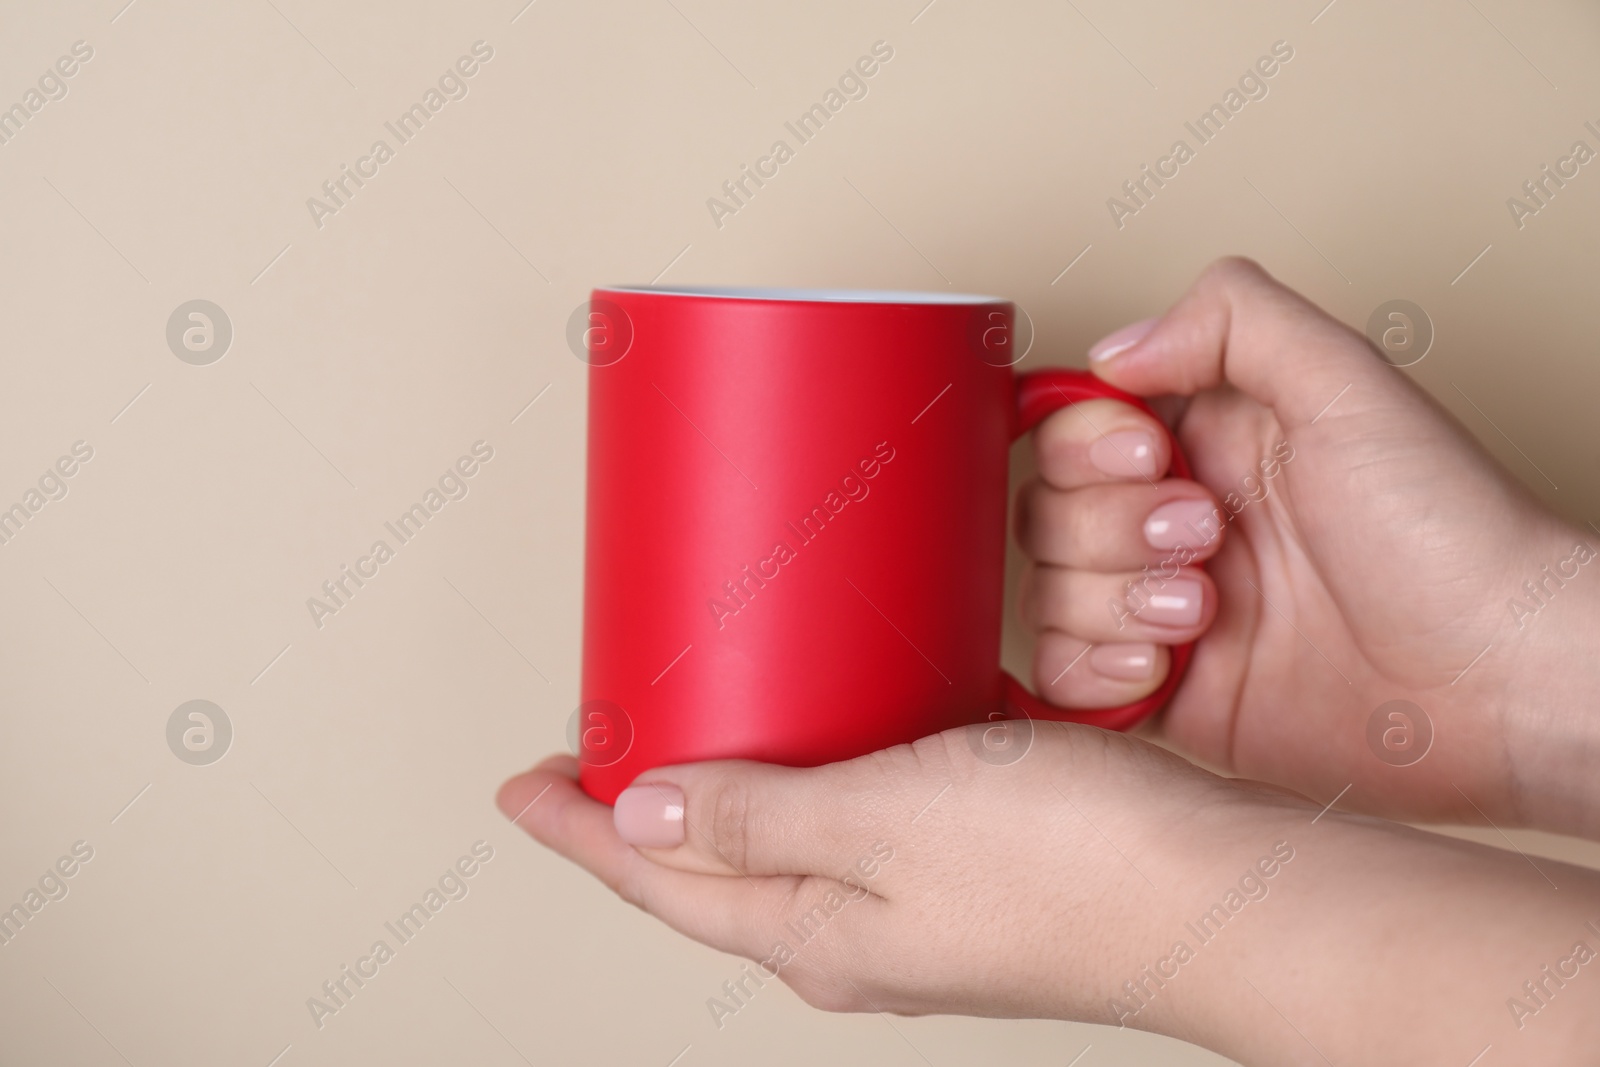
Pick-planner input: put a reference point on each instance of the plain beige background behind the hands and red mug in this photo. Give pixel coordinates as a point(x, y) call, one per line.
point(431, 311)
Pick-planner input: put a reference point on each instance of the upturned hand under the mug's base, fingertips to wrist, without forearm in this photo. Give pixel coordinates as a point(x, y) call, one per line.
point(929, 881)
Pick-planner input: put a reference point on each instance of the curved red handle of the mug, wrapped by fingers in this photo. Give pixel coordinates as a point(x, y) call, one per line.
point(1038, 396)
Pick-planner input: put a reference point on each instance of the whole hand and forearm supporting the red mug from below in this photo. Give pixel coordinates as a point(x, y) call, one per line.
point(1097, 879)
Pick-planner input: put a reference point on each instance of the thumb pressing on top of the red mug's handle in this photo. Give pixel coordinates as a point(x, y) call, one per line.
point(1239, 326)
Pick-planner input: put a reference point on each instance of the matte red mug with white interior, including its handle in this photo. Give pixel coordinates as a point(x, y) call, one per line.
point(796, 526)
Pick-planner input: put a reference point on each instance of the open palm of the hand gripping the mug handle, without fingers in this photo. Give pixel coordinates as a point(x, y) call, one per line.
point(1377, 569)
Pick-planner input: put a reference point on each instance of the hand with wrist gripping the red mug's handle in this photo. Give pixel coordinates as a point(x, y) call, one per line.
point(1366, 551)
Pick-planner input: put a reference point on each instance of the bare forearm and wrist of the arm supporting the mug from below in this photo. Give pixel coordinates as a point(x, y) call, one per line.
point(1313, 967)
